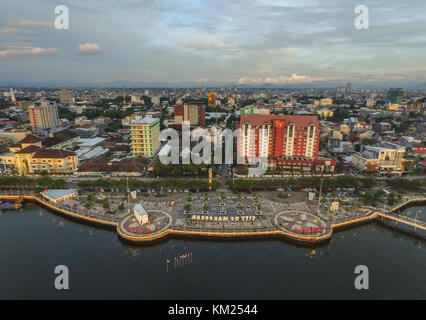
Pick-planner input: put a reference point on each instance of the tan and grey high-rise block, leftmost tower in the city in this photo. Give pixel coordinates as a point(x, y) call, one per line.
point(44, 119)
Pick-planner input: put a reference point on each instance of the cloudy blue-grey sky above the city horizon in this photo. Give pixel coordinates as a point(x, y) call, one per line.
point(195, 42)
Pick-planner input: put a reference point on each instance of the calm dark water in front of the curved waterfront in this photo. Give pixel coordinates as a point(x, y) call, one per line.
point(33, 241)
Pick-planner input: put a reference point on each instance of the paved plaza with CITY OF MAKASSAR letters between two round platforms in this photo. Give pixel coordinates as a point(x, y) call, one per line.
point(217, 212)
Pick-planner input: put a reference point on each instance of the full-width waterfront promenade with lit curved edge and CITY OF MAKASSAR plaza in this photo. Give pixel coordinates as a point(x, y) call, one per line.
point(296, 222)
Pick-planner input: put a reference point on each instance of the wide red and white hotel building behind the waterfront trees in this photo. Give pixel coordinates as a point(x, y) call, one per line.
point(290, 142)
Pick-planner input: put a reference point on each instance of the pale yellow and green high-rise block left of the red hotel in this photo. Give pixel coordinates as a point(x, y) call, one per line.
point(145, 136)
